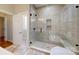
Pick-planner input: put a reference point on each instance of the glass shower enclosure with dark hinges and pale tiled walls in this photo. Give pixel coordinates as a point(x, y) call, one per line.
point(53, 25)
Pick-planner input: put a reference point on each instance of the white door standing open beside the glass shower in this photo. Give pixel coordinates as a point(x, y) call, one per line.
point(20, 33)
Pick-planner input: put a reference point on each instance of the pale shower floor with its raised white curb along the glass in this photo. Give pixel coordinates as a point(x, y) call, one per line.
point(42, 46)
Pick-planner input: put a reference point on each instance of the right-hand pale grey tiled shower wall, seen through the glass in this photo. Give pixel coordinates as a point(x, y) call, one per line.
point(71, 15)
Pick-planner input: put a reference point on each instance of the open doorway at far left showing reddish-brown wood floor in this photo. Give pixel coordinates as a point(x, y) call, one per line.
point(4, 43)
